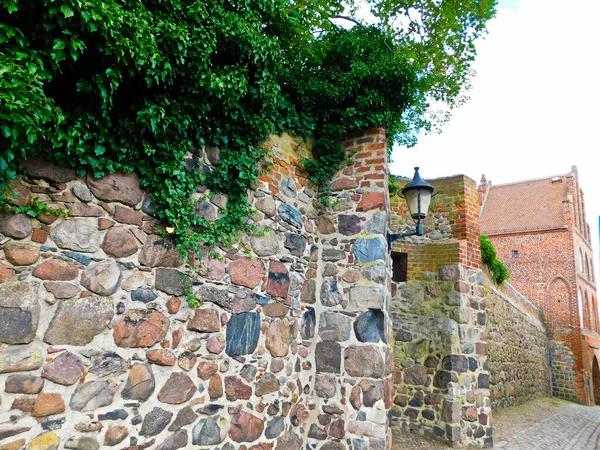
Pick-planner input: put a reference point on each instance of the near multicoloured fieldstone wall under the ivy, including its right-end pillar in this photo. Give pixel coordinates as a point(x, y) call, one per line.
point(98, 347)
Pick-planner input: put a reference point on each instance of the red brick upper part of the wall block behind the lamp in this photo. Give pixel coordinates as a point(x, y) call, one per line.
point(451, 229)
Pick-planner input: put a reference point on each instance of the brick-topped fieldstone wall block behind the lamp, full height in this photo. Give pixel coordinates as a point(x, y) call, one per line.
point(439, 318)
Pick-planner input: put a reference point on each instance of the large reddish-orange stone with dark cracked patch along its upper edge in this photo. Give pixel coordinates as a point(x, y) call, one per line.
point(140, 328)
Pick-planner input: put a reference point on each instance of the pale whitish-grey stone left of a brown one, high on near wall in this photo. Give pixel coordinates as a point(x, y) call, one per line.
point(81, 235)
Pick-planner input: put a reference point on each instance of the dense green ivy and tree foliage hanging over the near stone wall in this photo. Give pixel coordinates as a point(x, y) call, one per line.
point(107, 85)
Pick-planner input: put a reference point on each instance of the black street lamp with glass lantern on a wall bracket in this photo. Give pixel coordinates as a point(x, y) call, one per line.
point(418, 195)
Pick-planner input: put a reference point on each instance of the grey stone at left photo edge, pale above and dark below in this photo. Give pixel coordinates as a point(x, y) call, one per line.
point(19, 312)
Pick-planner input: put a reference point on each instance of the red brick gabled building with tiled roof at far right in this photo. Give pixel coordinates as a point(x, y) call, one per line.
point(539, 230)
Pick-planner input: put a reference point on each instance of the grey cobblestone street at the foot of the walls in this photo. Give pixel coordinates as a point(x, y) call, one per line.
point(544, 424)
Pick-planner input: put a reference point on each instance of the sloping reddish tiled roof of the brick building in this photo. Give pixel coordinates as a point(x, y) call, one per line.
point(531, 205)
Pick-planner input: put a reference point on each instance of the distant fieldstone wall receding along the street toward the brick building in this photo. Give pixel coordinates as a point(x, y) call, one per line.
point(517, 347)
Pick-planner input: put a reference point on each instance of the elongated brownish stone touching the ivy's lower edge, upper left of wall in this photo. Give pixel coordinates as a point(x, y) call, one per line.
point(117, 187)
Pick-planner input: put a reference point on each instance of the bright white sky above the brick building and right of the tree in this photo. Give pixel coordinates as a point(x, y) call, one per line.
point(534, 104)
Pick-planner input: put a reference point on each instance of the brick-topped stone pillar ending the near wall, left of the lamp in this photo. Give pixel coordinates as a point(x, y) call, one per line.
point(352, 355)
